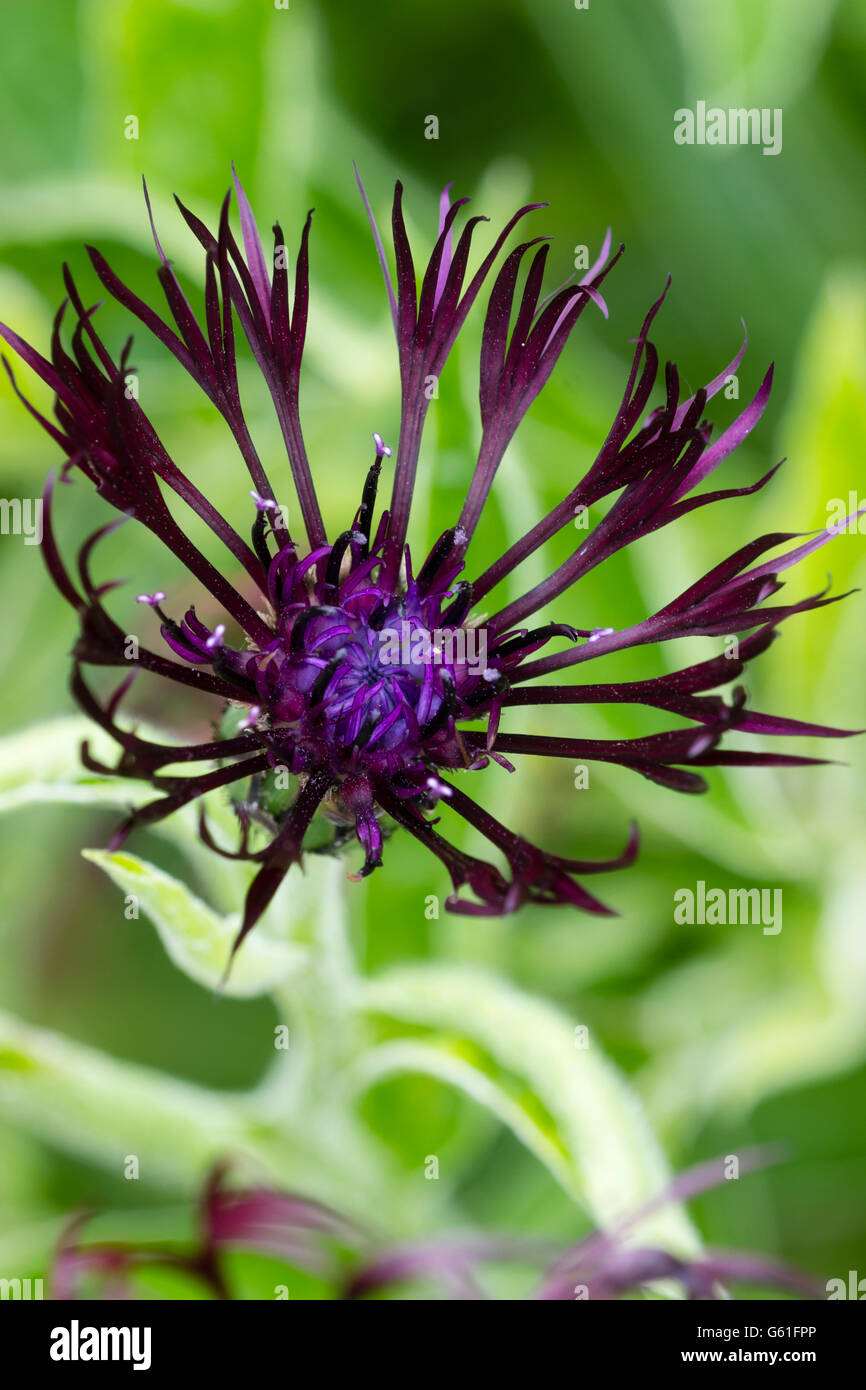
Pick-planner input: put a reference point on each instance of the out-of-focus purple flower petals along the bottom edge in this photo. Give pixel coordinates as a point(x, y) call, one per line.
point(313, 1238)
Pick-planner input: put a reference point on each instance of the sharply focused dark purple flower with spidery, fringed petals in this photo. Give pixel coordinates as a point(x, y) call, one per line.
point(355, 669)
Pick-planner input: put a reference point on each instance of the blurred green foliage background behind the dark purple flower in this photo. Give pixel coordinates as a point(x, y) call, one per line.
point(730, 1036)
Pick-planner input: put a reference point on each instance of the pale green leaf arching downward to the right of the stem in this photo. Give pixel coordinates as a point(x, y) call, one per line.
point(521, 1057)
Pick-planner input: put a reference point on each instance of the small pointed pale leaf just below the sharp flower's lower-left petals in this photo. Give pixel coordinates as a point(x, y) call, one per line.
point(197, 939)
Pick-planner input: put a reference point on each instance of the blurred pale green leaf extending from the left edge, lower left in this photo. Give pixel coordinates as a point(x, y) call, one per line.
point(106, 1110)
